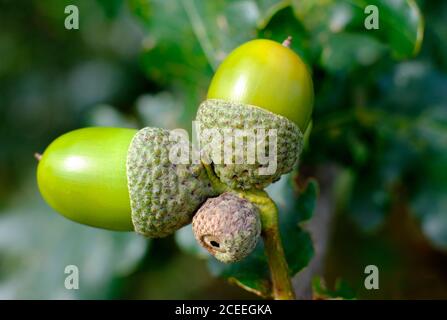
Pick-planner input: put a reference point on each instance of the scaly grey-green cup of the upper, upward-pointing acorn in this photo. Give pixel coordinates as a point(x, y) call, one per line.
point(219, 116)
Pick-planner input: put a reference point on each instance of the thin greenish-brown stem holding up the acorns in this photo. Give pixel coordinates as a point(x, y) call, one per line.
point(279, 270)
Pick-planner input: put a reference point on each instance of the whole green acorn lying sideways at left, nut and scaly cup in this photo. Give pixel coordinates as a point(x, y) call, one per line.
point(121, 179)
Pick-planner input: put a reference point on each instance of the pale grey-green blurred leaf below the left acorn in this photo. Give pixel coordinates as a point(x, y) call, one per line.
point(34, 260)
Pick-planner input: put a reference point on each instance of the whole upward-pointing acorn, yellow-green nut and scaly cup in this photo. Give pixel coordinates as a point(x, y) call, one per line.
point(264, 89)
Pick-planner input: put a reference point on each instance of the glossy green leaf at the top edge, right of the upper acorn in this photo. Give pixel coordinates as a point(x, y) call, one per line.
point(400, 26)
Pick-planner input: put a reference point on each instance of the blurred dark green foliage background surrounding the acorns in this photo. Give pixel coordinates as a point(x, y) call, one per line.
point(378, 148)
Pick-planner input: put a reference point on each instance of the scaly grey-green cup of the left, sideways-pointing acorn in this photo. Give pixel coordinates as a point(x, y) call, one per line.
point(163, 195)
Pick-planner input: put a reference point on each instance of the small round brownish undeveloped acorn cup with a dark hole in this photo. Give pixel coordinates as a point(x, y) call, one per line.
point(228, 227)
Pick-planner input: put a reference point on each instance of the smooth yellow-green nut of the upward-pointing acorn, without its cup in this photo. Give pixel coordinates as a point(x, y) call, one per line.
point(269, 75)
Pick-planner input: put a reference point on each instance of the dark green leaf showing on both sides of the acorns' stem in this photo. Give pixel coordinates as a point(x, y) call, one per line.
point(252, 273)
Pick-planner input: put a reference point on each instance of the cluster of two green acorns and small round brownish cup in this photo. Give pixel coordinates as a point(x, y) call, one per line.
point(123, 179)
